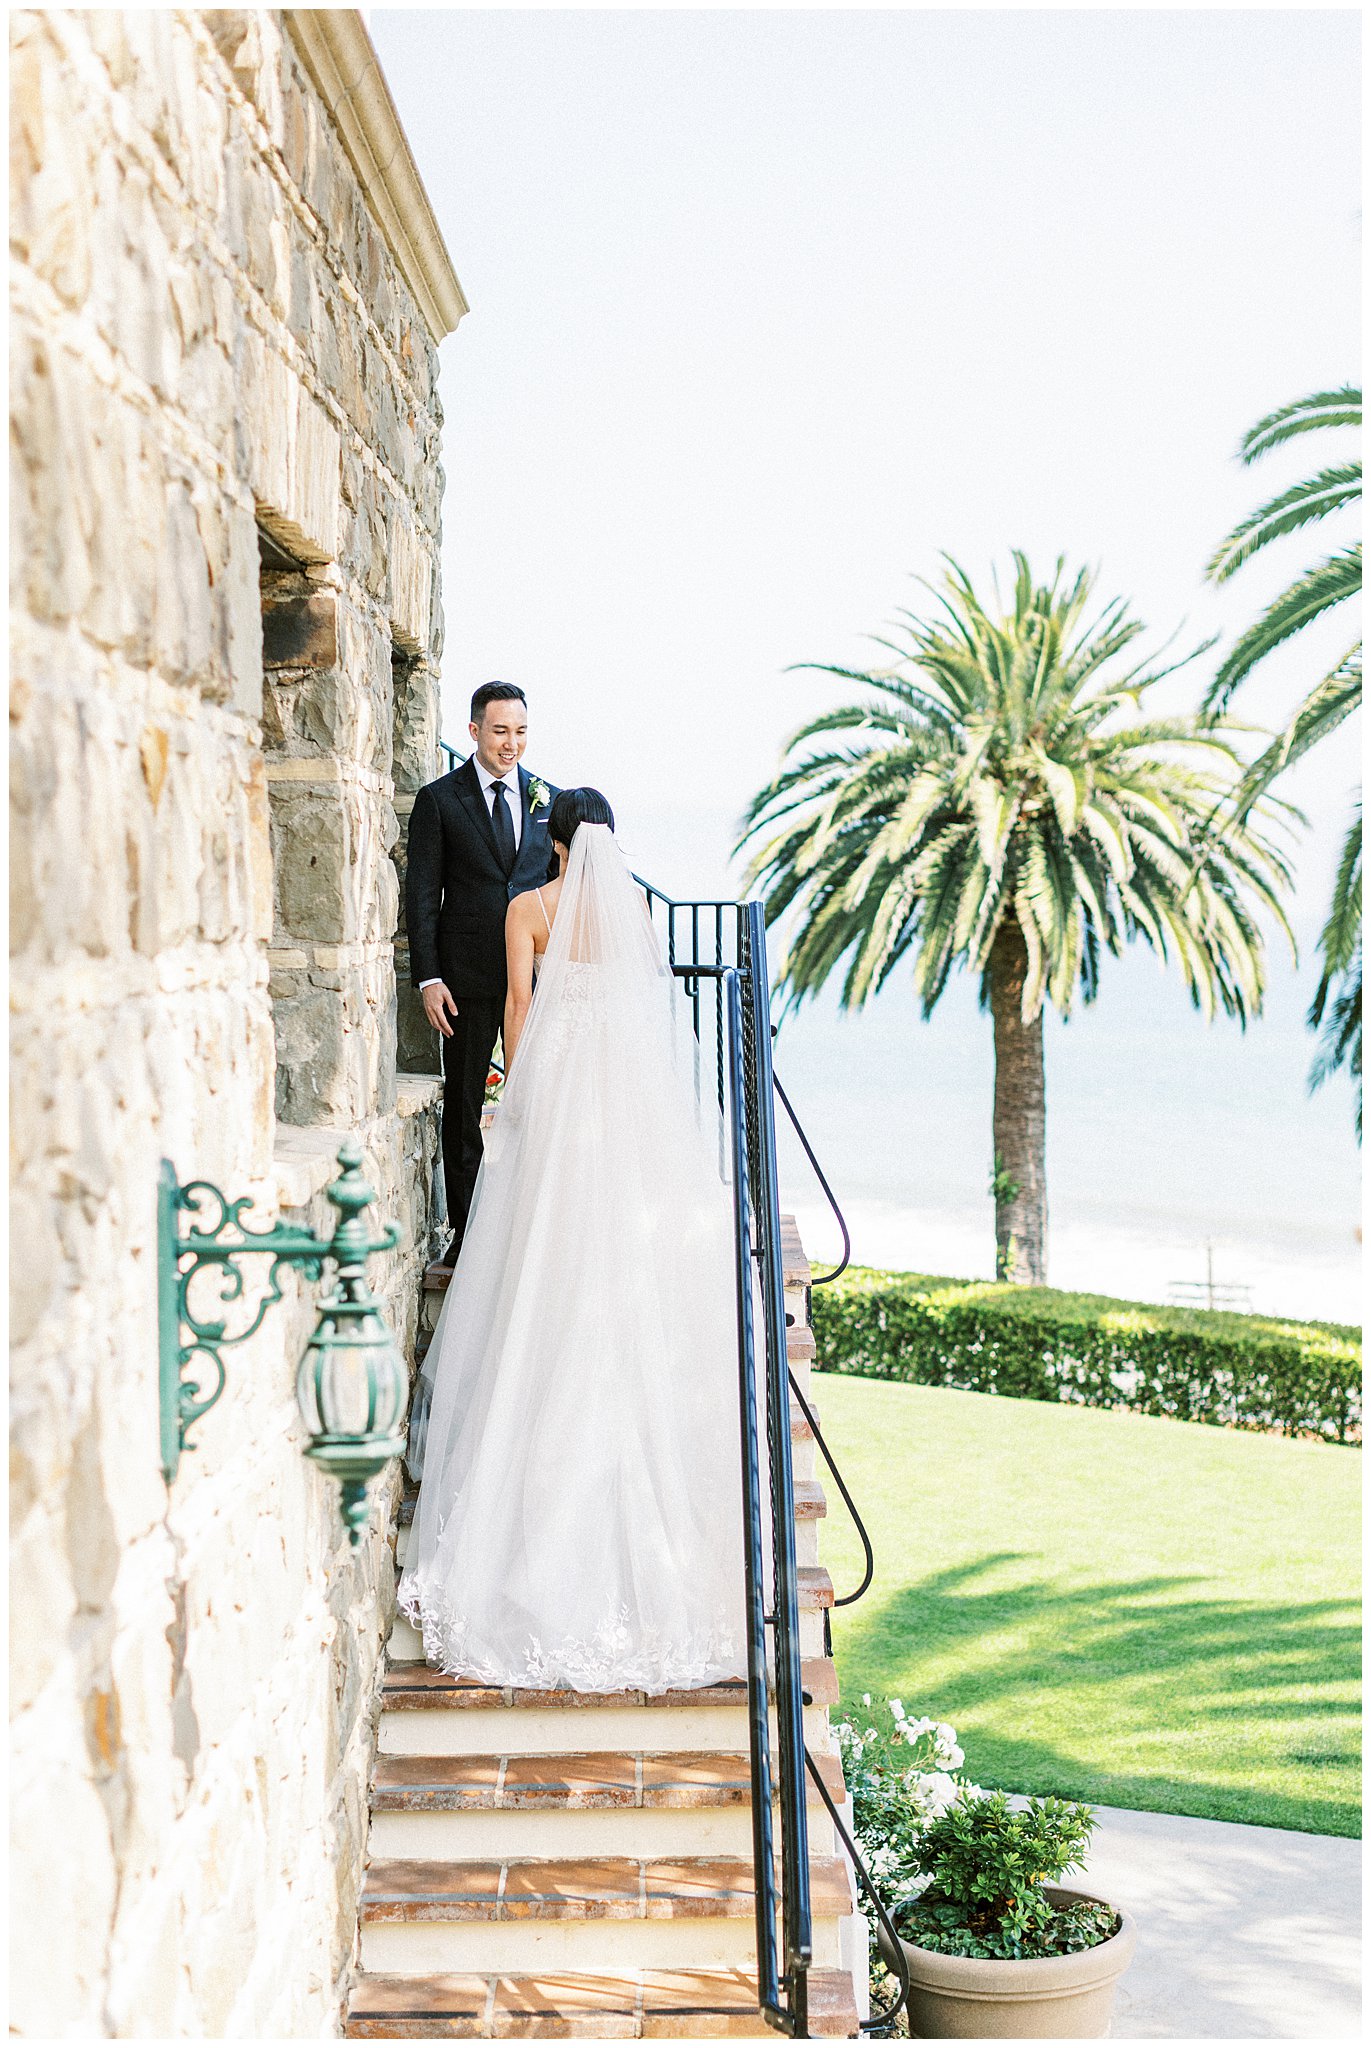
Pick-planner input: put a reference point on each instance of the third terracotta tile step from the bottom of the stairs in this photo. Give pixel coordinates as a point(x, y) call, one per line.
point(571, 1783)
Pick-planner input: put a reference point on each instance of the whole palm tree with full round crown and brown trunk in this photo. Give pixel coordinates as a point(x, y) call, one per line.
point(999, 802)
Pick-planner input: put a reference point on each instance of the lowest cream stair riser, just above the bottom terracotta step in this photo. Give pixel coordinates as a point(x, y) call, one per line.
point(532, 1947)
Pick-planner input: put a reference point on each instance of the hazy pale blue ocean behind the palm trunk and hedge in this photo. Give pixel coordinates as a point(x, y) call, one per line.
point(1171, 1144)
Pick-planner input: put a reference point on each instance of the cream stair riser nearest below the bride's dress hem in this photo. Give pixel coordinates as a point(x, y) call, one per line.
point(536, 1732)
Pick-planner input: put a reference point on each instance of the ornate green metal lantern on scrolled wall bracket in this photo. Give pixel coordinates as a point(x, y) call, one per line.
point(354, 1383)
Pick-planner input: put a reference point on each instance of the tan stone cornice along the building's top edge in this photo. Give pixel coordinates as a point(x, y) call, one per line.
point(337, 52)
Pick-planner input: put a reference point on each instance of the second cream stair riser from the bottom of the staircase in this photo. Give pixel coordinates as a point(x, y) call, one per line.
point(579, 1834)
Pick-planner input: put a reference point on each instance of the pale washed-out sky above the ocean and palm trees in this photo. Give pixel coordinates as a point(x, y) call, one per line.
point(767, 308)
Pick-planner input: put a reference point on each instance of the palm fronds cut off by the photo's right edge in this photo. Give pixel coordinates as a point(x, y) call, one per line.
point(1327, 706)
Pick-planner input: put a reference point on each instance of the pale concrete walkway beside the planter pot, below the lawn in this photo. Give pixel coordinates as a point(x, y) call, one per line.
point(1243, 1932)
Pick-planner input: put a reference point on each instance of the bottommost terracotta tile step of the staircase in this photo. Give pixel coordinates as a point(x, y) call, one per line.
point(634, 2006)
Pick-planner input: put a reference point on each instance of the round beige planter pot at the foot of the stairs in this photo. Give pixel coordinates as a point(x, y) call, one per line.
point(1054, 1998)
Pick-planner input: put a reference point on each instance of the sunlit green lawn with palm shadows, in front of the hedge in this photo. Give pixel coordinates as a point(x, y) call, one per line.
point(1110, 1607)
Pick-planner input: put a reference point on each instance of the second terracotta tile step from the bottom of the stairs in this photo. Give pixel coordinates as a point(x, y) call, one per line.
point(581, 1889)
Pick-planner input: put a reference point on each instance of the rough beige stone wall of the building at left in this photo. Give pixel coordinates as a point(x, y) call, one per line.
point(210, 341)
